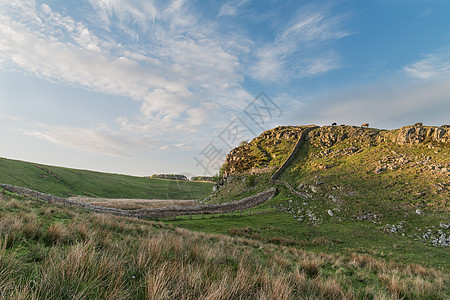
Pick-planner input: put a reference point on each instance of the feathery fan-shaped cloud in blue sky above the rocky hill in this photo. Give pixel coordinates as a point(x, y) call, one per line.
point(300, 43)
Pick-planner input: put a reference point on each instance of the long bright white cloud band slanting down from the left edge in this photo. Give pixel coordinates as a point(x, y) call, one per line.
point(52, 59)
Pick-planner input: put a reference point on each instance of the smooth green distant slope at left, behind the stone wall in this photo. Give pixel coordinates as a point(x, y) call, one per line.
point(69, 182)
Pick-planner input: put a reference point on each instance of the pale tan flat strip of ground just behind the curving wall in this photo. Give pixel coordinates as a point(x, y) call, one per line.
point(133, 203)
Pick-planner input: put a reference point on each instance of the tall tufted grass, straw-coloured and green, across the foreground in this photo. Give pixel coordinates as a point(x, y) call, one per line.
point(52, 252)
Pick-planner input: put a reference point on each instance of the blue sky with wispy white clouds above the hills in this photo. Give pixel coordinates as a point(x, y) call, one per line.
point(144, 86)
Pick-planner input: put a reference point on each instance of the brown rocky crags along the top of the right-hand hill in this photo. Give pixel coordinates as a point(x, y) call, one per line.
point(268, 151)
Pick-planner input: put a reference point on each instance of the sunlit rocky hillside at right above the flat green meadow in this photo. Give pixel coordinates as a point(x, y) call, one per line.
point(408, 166)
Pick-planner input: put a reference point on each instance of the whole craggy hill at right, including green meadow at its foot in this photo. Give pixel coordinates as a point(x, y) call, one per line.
point(356, 189)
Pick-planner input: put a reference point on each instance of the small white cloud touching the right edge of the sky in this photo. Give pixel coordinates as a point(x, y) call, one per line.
point(433, 65)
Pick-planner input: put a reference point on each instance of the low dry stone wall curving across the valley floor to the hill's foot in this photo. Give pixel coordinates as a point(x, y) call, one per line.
point(151, 213)
